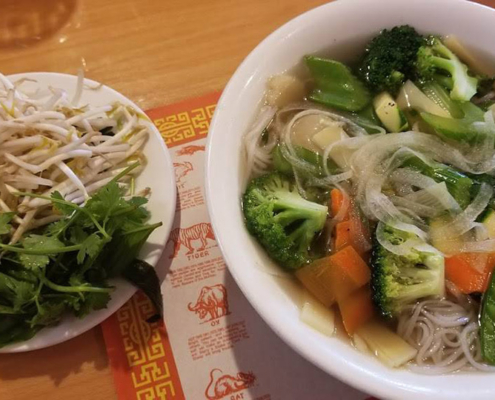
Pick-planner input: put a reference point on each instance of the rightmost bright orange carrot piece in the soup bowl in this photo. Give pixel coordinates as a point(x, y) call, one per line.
point(470, 272)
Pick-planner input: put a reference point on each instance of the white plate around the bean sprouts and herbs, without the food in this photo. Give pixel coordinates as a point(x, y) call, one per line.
point(158, 175)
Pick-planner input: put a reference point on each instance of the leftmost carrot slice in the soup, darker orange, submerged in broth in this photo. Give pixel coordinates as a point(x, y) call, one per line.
point(318, 279)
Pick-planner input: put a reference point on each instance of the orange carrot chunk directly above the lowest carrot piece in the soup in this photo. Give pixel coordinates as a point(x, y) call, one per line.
point(350, 272)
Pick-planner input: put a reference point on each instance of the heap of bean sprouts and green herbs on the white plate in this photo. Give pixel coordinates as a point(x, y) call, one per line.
point(69, 215)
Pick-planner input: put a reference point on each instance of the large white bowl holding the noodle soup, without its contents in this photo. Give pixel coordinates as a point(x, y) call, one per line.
point(339, 27)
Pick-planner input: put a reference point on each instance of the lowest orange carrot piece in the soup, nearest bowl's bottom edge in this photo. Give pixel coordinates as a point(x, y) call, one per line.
point(356, 309)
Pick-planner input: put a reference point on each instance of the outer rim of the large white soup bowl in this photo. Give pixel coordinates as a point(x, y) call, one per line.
point(352, 375)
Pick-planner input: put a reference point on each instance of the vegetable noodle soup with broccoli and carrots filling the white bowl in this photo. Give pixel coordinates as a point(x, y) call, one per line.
point(374, 185)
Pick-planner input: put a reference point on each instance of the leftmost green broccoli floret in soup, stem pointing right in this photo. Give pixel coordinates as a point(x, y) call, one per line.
point(283, 222)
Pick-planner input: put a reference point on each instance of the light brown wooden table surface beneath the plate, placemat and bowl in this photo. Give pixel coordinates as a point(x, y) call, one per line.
point(155, 52)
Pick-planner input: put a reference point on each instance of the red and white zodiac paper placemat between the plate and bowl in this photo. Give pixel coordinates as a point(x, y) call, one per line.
point(212, 344)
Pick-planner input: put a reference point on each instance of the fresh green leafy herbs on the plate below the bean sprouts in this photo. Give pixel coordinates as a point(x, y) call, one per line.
point(64, 267)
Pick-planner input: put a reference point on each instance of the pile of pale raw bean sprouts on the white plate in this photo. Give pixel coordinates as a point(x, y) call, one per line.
point(51, 142)
